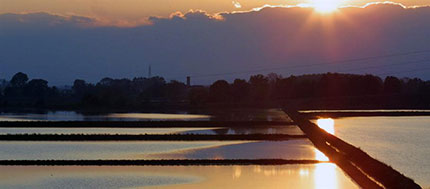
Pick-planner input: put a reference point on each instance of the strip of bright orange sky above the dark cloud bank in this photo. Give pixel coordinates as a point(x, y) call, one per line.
point(132, 12)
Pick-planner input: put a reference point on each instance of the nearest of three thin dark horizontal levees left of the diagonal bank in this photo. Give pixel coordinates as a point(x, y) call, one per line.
point(158, 162)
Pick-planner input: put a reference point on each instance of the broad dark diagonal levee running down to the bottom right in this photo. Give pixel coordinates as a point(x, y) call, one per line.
point(362, 168)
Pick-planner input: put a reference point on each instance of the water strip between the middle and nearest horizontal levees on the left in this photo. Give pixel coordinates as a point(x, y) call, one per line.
point(293, 149)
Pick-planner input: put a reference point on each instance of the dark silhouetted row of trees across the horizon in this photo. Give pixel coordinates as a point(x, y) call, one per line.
point(328, 90)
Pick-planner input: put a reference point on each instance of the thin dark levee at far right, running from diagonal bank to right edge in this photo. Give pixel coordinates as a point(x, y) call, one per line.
point(315, 115)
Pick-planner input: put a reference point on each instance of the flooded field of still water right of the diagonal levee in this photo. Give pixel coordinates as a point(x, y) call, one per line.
point(402, 142)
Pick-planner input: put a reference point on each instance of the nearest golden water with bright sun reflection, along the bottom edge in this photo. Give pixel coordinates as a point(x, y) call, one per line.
point(325, 175)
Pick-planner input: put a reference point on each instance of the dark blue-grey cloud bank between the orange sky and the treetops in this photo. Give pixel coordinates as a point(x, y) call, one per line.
point(61, 49)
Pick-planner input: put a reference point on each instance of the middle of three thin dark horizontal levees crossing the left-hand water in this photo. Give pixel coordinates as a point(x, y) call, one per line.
point(145, 137)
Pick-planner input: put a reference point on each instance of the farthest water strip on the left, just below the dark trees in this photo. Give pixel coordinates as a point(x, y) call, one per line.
point(218, 115)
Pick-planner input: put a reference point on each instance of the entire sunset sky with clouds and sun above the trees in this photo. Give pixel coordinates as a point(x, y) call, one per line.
point(61, 40)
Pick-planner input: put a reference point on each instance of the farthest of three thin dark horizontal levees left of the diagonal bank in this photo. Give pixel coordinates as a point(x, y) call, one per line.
point(138, 124)
